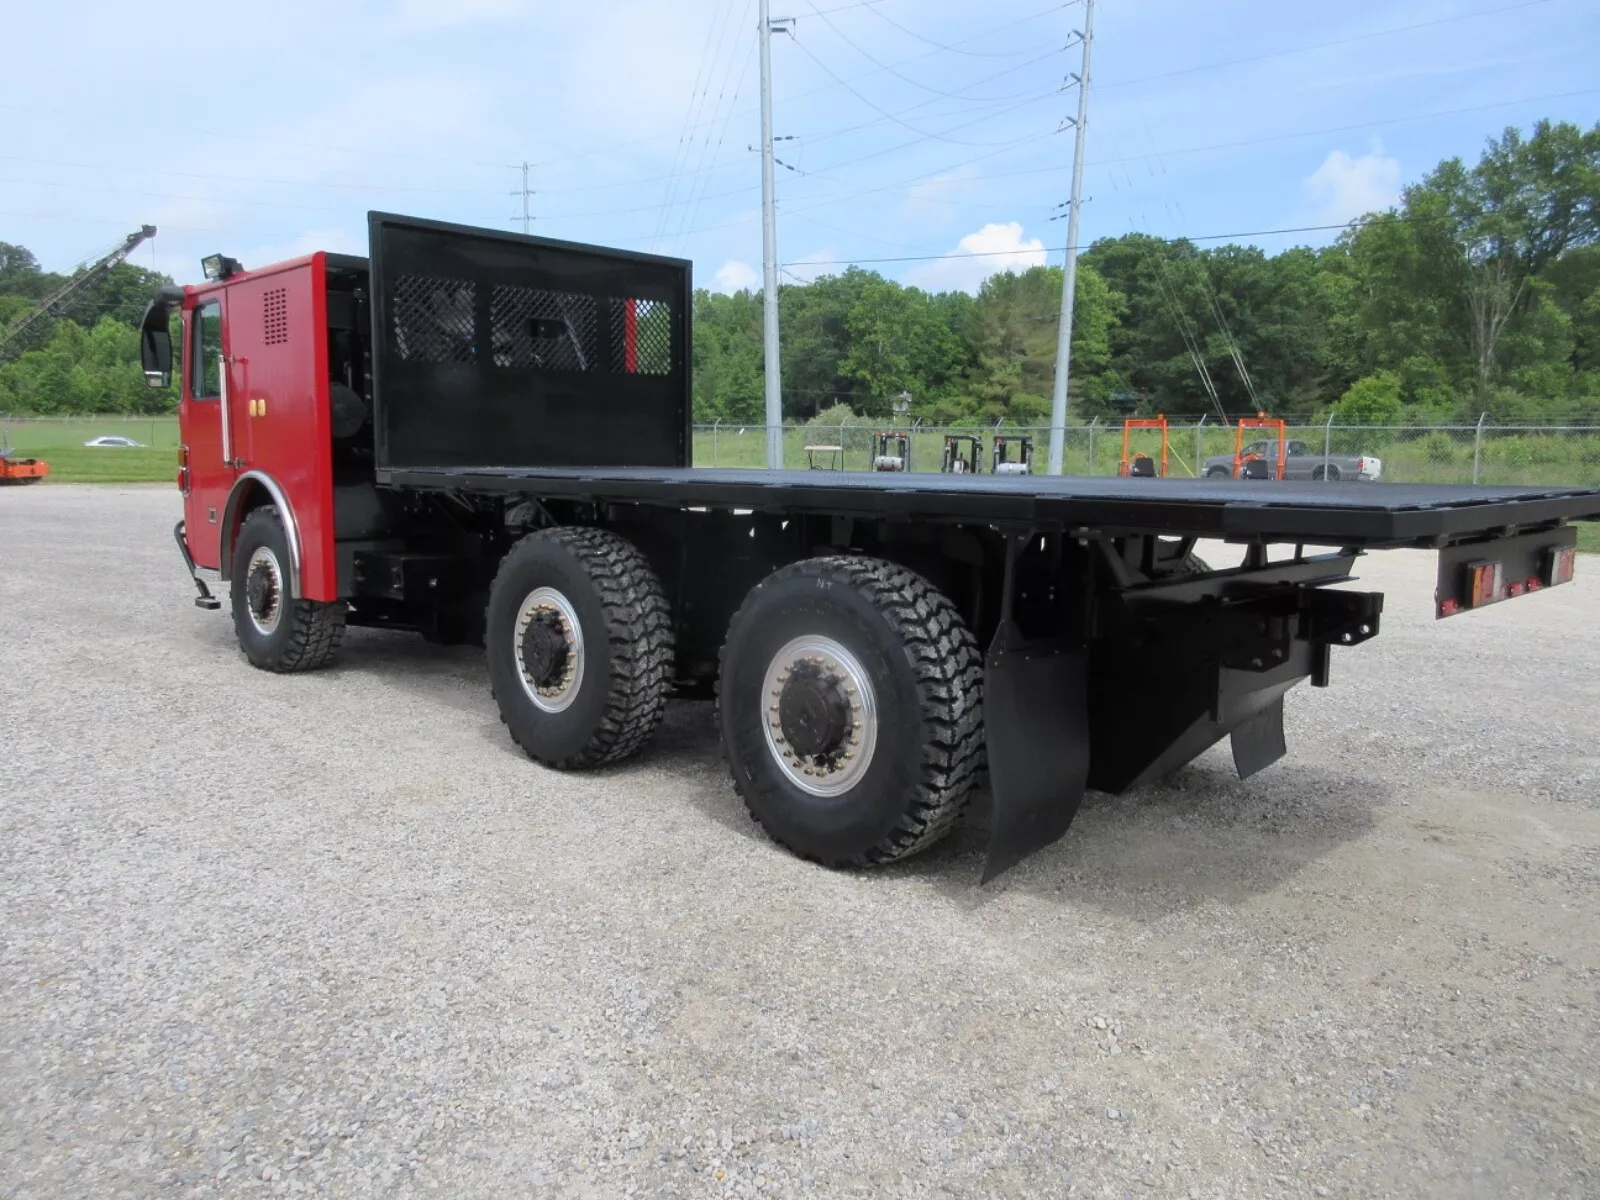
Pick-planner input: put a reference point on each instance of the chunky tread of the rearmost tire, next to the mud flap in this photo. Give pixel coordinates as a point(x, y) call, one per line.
point(950, 673)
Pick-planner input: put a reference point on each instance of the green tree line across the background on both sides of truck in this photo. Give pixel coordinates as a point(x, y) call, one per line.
point(1479, 292)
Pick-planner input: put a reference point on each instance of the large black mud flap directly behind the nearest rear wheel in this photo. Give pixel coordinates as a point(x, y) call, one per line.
point(1038, 732)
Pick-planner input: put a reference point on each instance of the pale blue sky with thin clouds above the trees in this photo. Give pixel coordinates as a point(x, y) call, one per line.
point(916, 129)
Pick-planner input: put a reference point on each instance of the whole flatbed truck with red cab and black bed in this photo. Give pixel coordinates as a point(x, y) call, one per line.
point(486, 438)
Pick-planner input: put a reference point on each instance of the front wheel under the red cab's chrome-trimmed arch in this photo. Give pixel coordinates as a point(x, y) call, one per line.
point(276, 630)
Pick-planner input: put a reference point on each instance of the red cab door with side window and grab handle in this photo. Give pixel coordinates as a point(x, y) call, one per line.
point(207, 457)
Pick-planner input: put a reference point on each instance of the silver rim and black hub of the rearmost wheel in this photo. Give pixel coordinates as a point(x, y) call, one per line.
point(820, 714)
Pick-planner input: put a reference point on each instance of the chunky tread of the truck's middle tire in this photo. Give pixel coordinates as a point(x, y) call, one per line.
point(639, 628)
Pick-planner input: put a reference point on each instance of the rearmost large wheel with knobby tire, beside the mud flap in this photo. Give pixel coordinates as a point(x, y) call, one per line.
point(850, 705)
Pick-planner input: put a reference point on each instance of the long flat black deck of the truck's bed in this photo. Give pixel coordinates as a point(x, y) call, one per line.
point(1340, 514)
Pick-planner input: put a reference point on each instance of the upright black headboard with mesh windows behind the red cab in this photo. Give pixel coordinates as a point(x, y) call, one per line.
point(506, 351)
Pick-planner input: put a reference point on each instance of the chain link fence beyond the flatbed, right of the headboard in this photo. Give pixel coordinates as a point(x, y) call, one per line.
point(1449, 454)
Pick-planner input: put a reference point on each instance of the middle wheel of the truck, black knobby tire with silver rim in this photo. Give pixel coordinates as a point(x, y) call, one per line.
point(580, 647)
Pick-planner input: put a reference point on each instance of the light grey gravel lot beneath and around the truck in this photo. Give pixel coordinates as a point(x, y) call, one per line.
point(335, 935)
